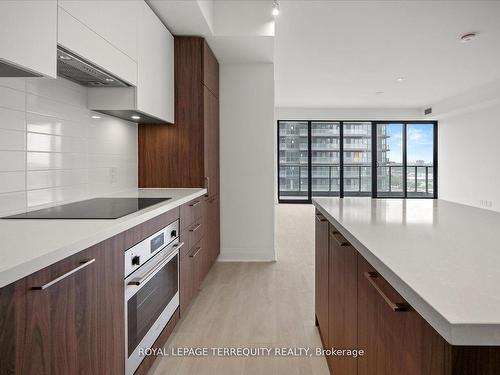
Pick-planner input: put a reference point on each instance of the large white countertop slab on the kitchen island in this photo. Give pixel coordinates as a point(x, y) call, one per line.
point(442, 257)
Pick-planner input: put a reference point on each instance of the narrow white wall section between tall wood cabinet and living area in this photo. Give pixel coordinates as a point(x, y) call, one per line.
point(247, 161)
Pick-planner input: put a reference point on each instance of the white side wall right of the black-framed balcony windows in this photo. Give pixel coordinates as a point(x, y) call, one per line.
point(469, 158)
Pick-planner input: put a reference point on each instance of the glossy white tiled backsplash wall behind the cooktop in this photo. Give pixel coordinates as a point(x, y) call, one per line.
point(51, 150)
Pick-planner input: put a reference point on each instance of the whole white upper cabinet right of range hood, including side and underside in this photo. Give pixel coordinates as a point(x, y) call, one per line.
point(153, 98)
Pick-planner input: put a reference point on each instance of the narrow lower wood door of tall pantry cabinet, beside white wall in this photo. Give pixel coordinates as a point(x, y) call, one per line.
point(211, 142)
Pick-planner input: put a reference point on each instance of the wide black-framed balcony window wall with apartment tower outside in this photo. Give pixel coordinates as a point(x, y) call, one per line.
point(356, 158)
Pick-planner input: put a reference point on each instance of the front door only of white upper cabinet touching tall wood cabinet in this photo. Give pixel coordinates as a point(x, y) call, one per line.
point(155, 63)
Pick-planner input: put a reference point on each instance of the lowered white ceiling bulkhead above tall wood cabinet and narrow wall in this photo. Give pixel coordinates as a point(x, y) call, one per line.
point(238, 31)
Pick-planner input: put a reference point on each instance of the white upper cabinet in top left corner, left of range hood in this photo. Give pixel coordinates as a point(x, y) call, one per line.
point(28, 35)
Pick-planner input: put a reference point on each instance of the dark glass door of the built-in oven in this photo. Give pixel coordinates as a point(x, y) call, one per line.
point(148, 303)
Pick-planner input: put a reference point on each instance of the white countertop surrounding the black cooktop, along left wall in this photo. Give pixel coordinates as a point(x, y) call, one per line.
point(29, 245)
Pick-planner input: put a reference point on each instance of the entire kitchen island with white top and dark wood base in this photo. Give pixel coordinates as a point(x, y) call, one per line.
point(435, 274)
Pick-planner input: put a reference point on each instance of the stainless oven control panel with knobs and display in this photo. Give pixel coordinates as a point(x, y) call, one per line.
point(147, 248)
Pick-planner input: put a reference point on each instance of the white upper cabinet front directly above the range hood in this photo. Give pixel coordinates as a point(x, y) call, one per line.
point(103, 32)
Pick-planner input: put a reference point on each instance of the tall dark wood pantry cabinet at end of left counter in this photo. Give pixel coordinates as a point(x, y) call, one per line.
point(186, 154)
